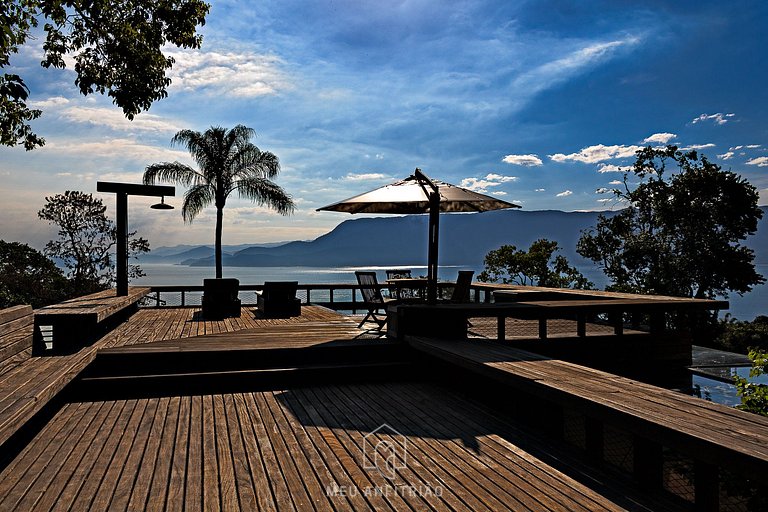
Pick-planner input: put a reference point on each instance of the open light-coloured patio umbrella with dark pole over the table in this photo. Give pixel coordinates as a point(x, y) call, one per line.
point(420, 194)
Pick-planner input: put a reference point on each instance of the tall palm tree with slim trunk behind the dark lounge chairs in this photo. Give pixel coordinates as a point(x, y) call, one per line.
point(228, 161)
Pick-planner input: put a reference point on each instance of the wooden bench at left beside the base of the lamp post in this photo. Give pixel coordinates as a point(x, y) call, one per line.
point(70, 325)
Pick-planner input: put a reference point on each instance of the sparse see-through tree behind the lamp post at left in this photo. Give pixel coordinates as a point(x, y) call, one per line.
point(86, 241)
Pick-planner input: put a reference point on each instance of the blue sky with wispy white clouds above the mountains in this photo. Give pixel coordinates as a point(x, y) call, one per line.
point(540, 103)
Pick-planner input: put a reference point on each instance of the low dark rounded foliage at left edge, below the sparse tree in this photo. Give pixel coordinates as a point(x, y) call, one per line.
point(28, 277)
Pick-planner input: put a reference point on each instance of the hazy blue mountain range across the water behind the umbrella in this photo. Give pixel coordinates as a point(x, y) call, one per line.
point(464, 240)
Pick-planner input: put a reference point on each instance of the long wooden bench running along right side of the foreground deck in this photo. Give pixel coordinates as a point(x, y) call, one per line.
point(712, 435)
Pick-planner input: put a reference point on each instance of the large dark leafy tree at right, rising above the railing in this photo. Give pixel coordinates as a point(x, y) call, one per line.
point(681, 233)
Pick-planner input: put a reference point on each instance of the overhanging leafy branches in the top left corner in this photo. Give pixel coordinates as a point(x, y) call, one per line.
point(117, 47)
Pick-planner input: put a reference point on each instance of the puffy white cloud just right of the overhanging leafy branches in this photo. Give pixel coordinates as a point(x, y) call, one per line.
point(245, 74)
